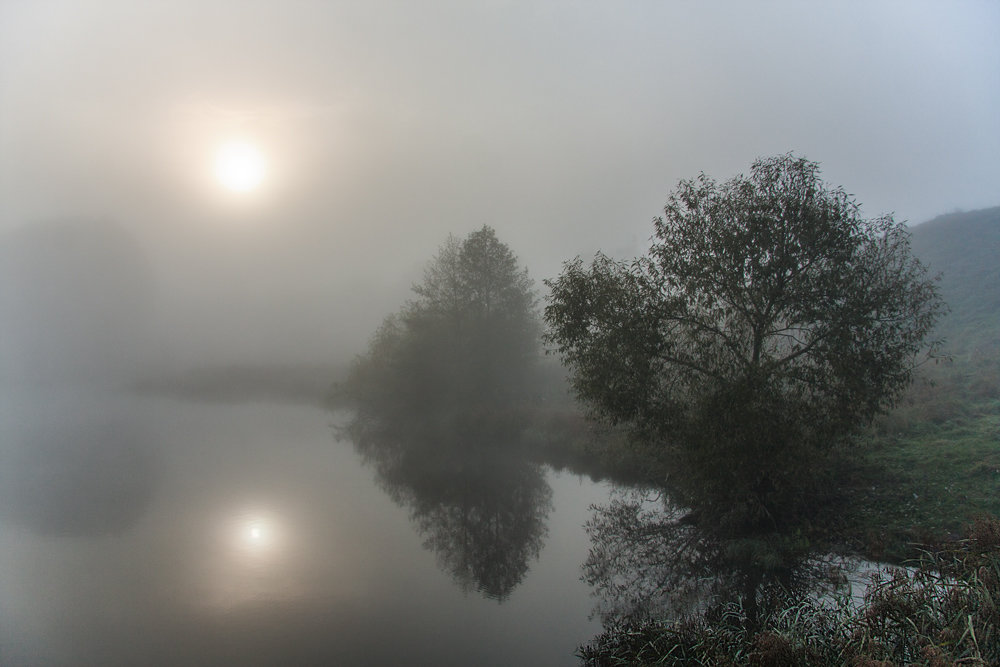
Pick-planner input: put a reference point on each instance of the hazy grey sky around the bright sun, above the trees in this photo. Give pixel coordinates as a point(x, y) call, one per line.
point(387, 125)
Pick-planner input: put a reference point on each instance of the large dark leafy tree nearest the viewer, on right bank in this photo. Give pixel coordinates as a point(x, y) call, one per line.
point(768, 323)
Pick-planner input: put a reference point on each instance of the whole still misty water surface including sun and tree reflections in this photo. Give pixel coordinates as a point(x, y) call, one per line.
point(153, 531)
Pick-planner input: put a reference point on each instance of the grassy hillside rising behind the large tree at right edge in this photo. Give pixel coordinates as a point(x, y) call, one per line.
point(936, 457)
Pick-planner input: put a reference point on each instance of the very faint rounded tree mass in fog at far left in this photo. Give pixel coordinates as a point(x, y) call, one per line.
point(75, 303)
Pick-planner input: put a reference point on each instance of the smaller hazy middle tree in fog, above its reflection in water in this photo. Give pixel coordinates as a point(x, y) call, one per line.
point(465, 346)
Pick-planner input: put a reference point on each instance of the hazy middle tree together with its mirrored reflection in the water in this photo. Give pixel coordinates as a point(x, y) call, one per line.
point(436, 398)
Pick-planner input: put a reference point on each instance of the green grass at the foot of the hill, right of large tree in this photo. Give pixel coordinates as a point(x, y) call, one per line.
point(929, 468)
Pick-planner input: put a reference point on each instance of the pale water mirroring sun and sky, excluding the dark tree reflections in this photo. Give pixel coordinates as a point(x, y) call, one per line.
point(266, 542)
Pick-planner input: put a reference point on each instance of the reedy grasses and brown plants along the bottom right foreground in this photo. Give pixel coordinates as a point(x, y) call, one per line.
point(942, 610)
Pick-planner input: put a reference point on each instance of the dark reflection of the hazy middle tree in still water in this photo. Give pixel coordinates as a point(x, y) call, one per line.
point(478, 506)
